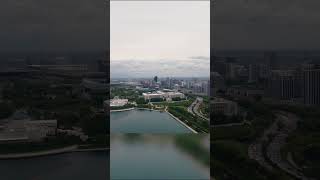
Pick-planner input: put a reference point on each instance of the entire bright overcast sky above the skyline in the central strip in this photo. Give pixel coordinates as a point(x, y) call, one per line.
point(163, 38)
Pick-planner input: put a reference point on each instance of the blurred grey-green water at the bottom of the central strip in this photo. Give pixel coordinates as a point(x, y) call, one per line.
point(153, 157)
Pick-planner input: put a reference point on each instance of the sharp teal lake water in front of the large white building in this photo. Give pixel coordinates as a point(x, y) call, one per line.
point(145, 121)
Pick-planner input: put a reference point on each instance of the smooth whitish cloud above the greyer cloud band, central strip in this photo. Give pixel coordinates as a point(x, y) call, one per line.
point(159, 29)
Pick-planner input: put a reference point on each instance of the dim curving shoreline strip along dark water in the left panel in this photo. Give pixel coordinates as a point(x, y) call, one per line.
point(68, 149)
